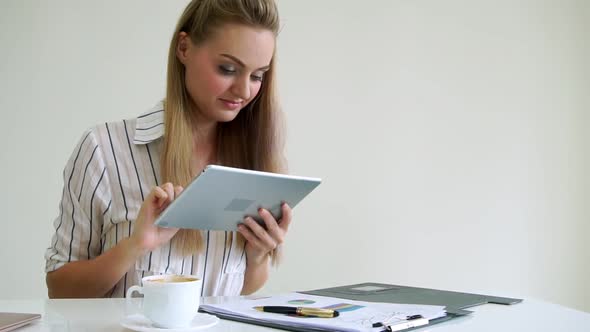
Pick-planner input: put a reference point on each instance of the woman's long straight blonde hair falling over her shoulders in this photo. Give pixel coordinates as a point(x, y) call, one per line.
point(253, 140)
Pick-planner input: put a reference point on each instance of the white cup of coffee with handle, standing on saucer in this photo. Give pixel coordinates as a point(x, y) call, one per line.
point(169, 301)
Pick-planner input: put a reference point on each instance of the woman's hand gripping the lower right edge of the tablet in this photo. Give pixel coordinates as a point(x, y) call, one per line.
point(260, 241)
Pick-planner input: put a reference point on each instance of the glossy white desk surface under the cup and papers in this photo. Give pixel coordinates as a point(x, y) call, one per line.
point(105, 314)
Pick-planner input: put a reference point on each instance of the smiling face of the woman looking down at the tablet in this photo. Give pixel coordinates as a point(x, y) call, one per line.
point(225, 72)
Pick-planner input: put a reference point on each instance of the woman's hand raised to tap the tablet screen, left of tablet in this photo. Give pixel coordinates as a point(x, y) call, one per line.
point(147, 236)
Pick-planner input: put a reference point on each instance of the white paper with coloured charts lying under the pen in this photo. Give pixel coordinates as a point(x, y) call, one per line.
point(354, 315)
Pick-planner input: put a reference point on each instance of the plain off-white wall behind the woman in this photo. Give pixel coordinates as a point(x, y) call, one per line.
point(450, 135)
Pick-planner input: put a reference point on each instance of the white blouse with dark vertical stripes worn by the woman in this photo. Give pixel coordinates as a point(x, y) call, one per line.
point(112, 169)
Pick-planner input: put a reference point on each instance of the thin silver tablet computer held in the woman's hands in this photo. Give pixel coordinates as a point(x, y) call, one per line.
point(220, 197)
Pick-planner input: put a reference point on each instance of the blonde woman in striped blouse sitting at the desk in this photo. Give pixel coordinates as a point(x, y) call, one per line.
point(219, 109)
